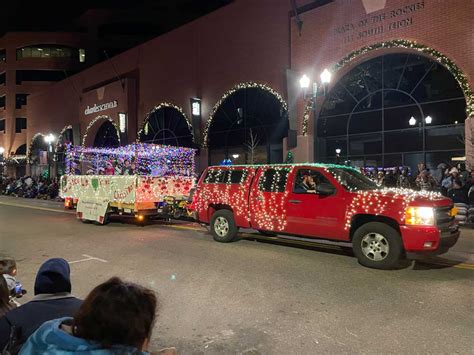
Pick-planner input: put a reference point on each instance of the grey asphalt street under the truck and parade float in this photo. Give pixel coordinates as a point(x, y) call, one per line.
point(255, 296)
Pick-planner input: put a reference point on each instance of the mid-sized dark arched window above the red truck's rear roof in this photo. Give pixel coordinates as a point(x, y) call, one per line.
point(247, 126)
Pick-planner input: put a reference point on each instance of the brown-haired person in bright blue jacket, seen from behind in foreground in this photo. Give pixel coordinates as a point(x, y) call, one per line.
point(117, 317)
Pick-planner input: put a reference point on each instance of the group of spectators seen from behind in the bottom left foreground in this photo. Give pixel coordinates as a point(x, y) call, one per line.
point(117, 317)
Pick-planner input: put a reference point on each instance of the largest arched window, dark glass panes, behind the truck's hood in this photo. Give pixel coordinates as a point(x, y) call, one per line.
point(392, 110)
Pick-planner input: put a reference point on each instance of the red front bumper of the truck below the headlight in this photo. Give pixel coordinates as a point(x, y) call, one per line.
point(428, 239)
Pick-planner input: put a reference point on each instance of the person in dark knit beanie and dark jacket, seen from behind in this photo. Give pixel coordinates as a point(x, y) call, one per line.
point(52, 300)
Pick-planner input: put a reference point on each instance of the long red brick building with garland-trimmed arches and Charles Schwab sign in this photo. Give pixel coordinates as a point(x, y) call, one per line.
point(228, 84)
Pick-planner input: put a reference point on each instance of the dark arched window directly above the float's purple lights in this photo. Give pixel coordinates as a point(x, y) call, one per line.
point(167, 124)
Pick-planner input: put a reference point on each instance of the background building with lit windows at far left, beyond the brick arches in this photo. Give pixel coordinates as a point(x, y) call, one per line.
point(29, 62)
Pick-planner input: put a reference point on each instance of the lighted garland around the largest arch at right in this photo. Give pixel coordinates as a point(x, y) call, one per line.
point(406, 44)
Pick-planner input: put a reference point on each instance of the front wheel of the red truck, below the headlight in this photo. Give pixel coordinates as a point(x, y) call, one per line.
point(377, 245)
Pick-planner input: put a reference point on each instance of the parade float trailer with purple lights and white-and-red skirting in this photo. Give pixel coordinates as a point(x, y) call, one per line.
point(141, 180)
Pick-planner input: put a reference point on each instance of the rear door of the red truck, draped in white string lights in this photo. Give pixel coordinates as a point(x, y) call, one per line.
point(267, 199)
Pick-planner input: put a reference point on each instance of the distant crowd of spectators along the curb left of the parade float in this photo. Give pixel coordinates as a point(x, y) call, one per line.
point(29, 187)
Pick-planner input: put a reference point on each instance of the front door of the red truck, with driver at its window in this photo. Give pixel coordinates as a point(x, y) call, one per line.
point(314, 207)
